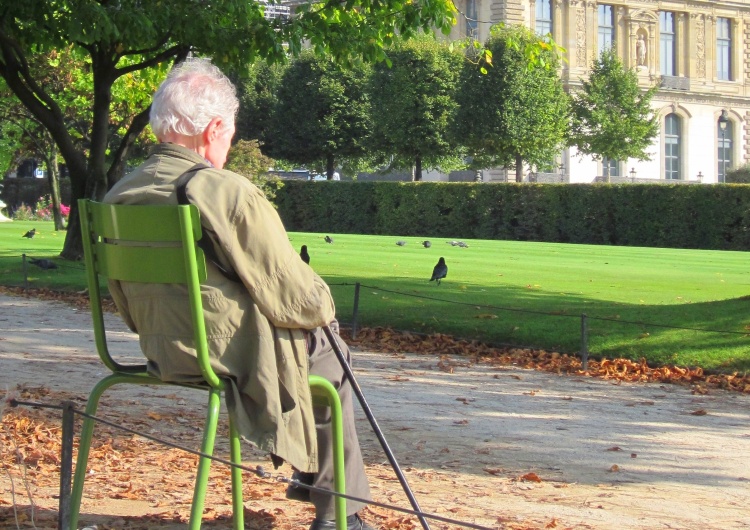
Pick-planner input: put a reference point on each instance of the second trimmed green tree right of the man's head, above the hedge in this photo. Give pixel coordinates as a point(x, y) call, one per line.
point(413, 105)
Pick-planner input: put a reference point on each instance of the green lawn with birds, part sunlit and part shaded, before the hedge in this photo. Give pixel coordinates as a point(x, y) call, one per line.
point(509, 292)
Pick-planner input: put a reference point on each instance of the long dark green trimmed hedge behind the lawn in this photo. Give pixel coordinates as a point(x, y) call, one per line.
point(677, 216)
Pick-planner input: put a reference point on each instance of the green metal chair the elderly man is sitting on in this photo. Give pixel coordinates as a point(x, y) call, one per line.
point(157, 244)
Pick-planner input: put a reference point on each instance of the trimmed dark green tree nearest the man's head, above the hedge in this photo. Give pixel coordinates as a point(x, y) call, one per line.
point(322, 113)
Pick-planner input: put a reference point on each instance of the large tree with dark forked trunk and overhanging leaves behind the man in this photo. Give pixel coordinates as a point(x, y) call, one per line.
point(123, 37)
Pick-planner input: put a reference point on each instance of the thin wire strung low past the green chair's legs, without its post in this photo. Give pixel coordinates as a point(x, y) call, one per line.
point(257, 471)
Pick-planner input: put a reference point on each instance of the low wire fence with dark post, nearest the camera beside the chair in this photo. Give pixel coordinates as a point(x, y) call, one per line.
point(69, 412)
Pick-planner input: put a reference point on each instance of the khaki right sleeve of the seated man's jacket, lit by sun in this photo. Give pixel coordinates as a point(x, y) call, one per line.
point(286, 290)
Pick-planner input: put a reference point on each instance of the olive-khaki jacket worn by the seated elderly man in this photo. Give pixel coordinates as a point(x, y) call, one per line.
point(254, 328)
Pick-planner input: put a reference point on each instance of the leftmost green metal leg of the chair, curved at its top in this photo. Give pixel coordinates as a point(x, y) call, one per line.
point(87, 431)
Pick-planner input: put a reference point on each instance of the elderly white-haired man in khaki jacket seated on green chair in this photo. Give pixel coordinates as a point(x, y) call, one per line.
point(263, 323)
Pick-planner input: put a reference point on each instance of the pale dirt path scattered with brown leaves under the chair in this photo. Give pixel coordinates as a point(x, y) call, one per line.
point(495, 446)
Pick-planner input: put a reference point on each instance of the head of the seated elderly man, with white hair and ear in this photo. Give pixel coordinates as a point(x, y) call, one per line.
point(195, 107)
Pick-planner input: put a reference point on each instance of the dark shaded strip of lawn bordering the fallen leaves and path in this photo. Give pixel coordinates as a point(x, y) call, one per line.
point(712, 335)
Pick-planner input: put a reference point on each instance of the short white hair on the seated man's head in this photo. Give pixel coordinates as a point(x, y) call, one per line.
point(194, 93)
